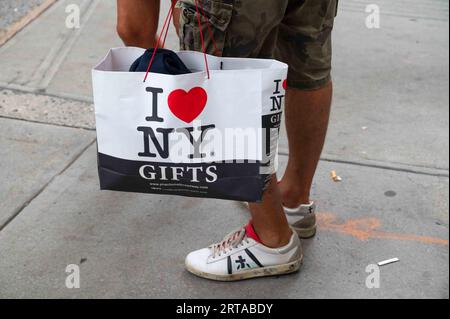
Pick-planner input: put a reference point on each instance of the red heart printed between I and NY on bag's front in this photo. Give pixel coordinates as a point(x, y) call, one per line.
point(187, 106)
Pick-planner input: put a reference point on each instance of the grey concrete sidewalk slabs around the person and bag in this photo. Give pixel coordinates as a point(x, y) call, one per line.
point(388, 140)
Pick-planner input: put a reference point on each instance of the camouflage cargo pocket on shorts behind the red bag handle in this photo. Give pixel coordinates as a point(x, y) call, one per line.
point(218, 13)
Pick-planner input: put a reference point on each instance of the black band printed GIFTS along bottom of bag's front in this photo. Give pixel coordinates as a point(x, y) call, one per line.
point(237, 180)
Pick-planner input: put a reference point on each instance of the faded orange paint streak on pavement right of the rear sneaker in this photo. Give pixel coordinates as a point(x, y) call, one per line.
point(365, 228)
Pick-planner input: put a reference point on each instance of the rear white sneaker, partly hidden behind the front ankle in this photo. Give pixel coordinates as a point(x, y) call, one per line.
point(302, 219)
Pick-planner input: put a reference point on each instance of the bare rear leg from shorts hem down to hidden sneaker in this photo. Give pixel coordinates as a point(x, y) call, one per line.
point(307, 117)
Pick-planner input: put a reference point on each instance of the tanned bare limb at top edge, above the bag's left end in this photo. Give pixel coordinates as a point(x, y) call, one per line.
point(137, 22)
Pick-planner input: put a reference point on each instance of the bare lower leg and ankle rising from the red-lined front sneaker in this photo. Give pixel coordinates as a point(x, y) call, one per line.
point(269, 221)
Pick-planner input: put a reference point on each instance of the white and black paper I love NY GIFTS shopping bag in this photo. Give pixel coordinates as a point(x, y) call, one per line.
point(188, 134)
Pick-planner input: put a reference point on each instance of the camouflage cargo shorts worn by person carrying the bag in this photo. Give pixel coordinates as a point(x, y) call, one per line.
point(297, 32)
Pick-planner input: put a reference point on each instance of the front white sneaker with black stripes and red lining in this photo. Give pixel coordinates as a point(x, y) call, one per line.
point(241, 255)
